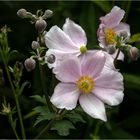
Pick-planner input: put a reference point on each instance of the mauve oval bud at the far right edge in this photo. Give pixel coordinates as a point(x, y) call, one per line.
point(133, 53)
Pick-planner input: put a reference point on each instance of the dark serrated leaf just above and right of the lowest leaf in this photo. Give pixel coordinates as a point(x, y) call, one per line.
point(75, 117)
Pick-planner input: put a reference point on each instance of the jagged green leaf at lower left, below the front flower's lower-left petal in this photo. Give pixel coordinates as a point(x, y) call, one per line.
point(44, 114)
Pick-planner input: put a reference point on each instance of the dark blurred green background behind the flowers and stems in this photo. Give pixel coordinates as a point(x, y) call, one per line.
point(123, 120)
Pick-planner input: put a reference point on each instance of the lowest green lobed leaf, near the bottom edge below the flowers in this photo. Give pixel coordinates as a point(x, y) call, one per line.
point(62, 127)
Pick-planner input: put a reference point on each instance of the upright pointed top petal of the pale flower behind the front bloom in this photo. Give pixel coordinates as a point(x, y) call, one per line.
point(75, 32)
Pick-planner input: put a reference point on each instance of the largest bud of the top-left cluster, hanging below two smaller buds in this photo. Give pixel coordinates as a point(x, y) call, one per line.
point(40, 25)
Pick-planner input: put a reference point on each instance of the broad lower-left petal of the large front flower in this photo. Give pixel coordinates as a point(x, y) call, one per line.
point(65, 96)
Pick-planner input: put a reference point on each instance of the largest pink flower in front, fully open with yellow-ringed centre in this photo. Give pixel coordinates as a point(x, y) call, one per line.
point(88, 80)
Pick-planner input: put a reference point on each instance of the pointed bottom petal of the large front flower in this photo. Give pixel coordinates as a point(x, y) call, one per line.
point(93, 106)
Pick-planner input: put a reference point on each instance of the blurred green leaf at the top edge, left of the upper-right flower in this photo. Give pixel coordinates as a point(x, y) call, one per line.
point(104, 5)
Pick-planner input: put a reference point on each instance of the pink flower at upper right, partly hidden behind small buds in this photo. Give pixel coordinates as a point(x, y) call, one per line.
point(111, 27)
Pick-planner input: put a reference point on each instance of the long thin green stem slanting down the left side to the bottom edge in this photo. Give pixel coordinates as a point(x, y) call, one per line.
point(16, 98)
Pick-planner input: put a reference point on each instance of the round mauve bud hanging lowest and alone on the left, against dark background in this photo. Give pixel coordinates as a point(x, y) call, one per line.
point(30, 64)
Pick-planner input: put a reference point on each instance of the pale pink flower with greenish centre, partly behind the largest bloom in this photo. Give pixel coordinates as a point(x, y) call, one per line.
point(71, 40)
